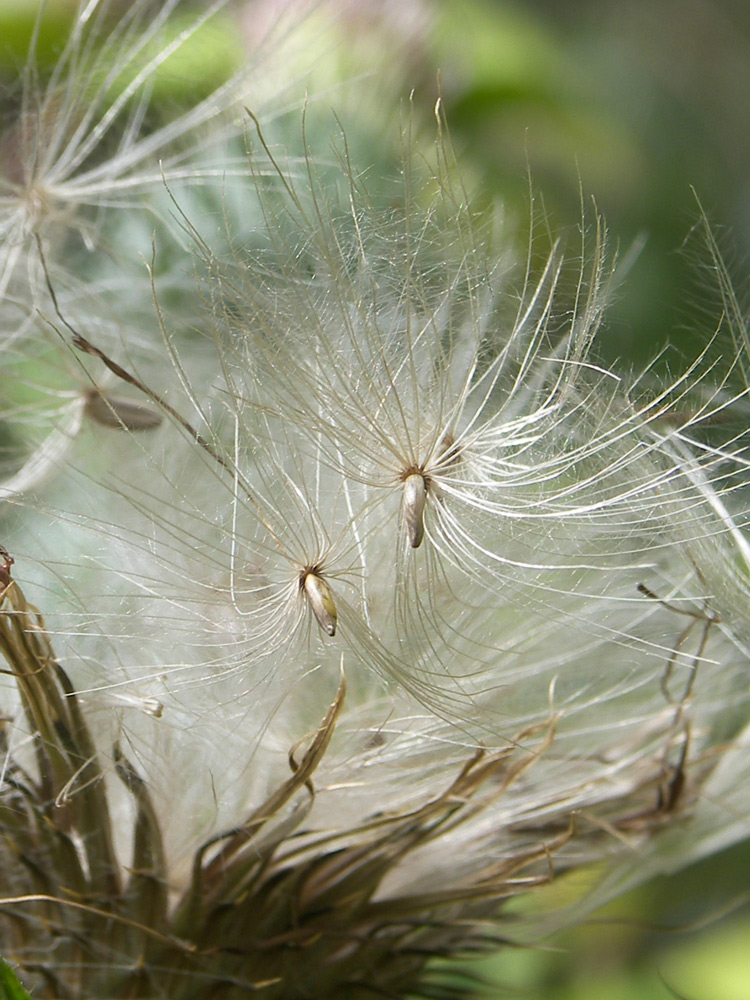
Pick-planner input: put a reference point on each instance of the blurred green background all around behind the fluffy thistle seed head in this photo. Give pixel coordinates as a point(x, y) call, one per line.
point(632, 104)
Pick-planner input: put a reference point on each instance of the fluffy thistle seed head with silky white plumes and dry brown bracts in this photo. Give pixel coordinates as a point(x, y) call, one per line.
point(346, 596)
